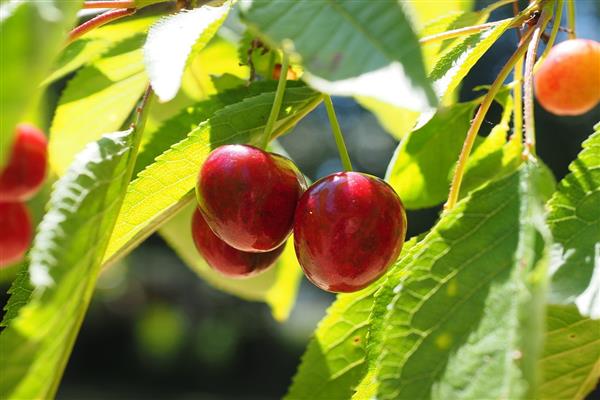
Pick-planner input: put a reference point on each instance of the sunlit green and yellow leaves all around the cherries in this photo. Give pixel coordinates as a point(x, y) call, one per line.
point(501, 298)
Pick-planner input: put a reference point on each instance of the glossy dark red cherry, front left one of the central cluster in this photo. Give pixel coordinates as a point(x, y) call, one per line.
point(249, 196)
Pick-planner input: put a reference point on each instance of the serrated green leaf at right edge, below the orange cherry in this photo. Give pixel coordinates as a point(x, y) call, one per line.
point(574, 219)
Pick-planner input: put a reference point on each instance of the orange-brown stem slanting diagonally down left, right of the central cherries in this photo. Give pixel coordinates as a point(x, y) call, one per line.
point(478, 120)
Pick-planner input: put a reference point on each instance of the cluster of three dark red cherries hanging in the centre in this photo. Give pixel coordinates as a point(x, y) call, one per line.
point(348, 227)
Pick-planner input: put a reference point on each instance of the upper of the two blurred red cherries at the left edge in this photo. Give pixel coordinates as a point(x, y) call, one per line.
point(26, 169)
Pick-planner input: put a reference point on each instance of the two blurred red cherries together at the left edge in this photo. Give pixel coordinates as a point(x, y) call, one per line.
point(20, 180)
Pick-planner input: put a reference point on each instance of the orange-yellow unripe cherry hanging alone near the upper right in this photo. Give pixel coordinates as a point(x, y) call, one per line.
point(568, 82)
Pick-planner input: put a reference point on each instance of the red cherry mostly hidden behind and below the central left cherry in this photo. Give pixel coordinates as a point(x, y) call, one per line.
point(224, 258)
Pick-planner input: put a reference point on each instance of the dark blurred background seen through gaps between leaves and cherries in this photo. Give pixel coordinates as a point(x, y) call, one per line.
point(156, 331)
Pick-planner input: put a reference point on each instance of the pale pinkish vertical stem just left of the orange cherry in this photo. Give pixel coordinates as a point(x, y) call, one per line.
point(528, 83)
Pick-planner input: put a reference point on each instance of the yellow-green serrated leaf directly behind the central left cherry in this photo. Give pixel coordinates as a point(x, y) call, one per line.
point(165, 186)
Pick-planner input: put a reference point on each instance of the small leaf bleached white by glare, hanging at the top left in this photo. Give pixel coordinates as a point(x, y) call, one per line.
point(172, 41)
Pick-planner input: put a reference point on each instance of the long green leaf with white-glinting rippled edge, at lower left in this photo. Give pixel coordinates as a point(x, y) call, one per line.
point(65, 262)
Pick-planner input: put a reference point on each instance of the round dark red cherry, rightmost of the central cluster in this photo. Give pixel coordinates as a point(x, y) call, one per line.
point(349, 228)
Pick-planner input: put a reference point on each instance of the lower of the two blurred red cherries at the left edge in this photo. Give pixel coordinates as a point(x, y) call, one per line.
point(15, 234)
